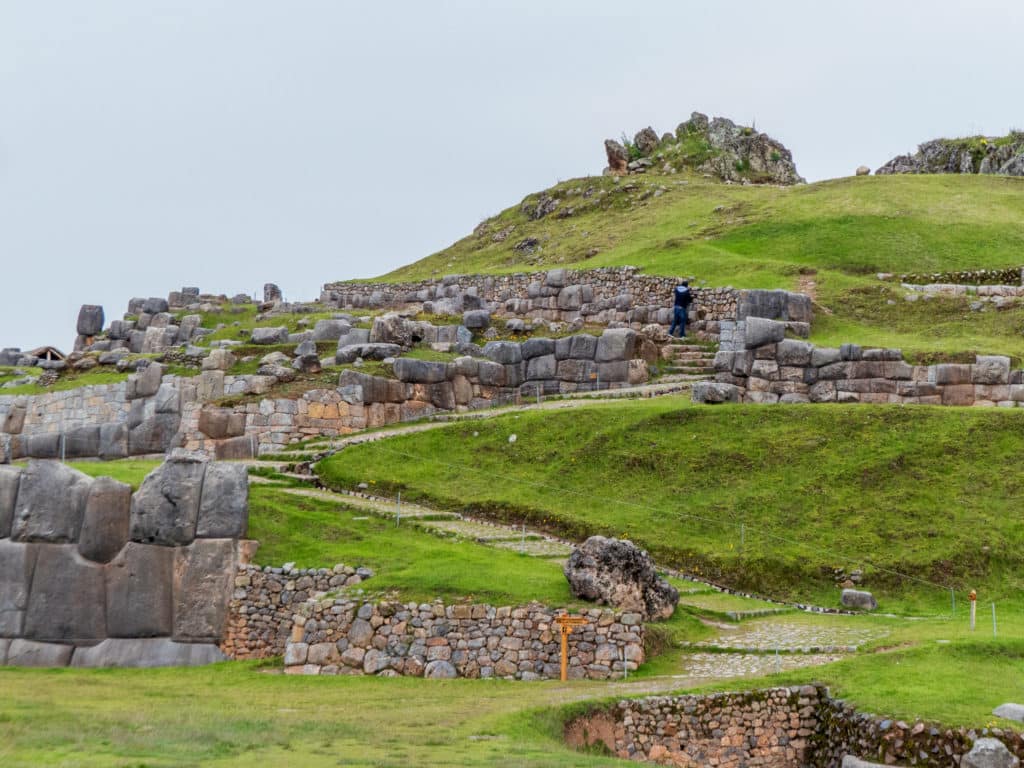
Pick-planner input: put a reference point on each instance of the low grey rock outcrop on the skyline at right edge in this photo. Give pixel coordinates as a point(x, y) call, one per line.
point(1003, 156)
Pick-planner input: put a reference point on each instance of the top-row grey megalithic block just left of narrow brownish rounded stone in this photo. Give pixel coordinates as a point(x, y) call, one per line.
point(51, 504)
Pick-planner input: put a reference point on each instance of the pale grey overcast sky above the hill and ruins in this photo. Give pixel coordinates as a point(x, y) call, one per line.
point(147, 145)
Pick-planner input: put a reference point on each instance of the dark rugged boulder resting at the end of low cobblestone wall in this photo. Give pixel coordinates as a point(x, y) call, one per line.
point(617, 573)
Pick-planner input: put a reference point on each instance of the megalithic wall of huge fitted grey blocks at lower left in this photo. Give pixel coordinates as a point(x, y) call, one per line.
point(95, 576)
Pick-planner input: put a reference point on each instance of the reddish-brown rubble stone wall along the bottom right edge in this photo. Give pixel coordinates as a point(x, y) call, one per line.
point(799, 728)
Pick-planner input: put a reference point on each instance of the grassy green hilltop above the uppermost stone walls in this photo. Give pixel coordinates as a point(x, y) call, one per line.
point(836, 234)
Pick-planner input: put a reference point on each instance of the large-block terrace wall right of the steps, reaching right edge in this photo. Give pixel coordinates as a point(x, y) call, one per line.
point(757, 364)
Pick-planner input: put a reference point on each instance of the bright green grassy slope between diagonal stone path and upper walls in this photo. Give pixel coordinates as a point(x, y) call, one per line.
point(929, 493)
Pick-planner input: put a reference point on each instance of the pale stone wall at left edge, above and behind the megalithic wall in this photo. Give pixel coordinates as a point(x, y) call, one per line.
point(138, 417)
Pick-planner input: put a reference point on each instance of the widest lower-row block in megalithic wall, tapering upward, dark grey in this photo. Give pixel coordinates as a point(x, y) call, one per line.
point(67, 603)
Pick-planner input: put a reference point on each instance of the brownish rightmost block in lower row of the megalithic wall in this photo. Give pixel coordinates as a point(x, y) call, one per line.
point(204, 576)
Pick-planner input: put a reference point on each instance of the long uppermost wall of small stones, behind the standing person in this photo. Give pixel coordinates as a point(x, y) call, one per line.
point(605, 295)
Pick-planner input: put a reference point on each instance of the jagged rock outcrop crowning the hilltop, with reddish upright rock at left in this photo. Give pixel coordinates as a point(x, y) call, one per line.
point(717, 147)
